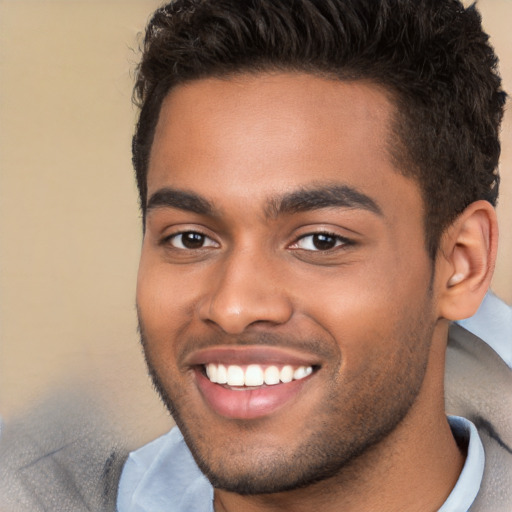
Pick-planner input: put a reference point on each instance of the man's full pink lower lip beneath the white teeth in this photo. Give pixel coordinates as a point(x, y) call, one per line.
point(247, 404)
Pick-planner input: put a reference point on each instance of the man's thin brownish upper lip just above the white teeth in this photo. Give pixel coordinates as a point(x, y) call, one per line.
point(245, 355)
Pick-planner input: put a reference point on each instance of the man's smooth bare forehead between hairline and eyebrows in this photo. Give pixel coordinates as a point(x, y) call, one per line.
point(254, 136)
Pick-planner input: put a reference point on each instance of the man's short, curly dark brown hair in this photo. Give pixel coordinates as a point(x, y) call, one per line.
point(431, 55)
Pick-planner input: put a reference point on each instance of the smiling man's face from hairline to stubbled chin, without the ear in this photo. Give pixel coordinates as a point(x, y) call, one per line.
point(281, 239)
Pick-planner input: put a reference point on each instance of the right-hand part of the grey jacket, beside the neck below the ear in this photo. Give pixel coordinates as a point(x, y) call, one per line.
point(479, 388)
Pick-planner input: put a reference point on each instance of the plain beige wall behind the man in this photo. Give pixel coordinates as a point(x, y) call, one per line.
point(69, 223)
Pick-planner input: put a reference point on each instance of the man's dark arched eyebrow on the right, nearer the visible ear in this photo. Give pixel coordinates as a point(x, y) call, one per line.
point(328, 196)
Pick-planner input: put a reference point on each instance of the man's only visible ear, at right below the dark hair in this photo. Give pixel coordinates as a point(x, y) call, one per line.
point(466, 259)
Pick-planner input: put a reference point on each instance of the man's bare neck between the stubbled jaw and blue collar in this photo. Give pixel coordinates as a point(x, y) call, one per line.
point(413, 469)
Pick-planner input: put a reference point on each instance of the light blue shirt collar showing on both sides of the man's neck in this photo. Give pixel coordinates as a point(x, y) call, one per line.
point(163, 476)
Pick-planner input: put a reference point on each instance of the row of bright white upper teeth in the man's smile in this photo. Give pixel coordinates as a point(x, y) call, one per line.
point(254, 374)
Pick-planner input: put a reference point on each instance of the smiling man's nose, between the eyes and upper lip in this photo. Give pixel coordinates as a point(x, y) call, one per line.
point(246, 292)
